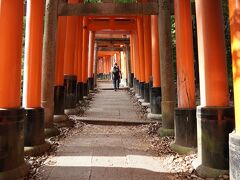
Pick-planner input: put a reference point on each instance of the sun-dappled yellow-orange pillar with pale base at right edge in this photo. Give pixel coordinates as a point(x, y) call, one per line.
point(234, 137)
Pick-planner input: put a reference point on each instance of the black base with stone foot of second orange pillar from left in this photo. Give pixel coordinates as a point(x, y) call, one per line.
point(34, 131)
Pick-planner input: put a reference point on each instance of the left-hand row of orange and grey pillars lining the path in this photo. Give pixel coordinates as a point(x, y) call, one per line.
point(52, 87)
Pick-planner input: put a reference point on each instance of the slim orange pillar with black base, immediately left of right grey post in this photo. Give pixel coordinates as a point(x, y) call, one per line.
point(155, 96)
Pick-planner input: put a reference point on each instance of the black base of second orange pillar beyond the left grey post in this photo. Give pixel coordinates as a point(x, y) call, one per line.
point(70, 86)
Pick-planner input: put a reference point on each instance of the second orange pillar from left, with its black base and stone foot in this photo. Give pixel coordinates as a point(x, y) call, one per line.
point(34, 124)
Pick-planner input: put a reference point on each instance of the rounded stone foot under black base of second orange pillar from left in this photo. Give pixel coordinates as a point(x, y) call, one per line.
point(36, 150)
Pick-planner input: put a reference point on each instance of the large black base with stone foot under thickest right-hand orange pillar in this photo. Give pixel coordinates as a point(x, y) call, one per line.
point(214, 125)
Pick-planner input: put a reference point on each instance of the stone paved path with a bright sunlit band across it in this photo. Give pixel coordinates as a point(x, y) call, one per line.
point(102, 152)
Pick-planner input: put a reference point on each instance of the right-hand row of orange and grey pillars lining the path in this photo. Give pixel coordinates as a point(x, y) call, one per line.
point(204, 128)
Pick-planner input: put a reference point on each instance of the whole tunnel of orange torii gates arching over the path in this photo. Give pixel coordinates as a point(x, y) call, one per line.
point(61, 60)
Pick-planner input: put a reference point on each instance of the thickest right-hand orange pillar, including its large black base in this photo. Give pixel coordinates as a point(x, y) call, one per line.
point(214, 116)
